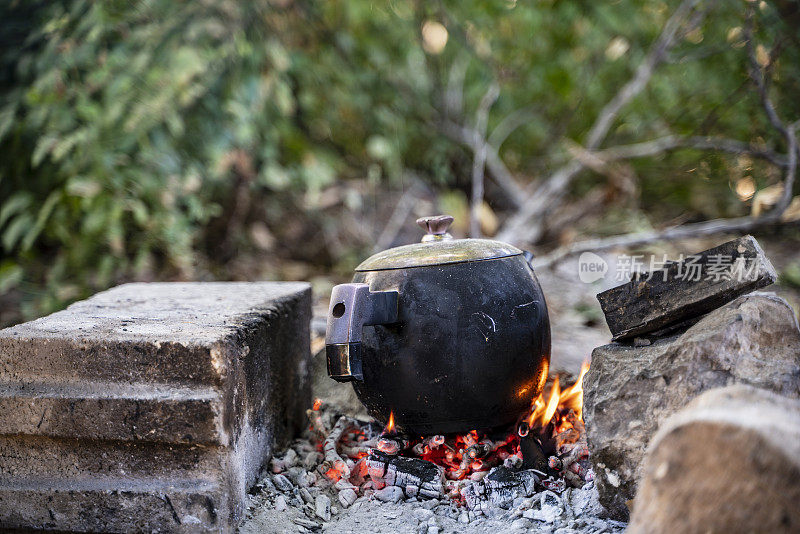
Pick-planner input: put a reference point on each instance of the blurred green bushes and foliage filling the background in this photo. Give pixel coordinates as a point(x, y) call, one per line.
point(288, 139)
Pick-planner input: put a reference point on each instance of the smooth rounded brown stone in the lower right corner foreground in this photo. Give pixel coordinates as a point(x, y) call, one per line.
point(728, 462)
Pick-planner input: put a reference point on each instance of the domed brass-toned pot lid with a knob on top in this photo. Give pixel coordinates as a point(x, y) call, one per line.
point(437, 248)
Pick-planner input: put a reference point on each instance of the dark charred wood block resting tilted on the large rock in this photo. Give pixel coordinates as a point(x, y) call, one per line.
point(682, 291)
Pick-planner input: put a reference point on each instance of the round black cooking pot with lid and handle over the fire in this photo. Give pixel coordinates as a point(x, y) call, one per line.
point(449, 335)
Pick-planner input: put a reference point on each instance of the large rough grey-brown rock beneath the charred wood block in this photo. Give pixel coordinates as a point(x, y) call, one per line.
point(630, 390)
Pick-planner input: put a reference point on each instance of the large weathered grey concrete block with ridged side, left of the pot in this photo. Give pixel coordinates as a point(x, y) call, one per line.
point(150, 406)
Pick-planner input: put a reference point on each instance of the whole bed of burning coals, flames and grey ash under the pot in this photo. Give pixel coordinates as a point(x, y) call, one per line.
point(360, 476)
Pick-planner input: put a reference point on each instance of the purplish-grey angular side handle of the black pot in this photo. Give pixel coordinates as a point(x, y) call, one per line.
point(352, 307)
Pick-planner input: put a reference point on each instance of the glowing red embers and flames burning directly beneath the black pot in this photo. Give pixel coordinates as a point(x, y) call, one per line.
point(548, 444)
